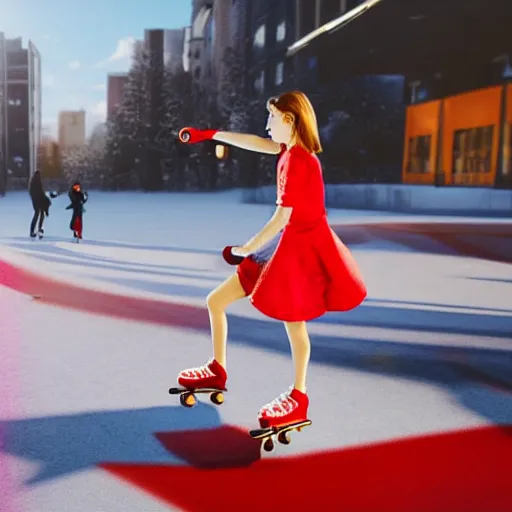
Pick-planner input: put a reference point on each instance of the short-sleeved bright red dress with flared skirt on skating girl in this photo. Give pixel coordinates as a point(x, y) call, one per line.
point(310, 271)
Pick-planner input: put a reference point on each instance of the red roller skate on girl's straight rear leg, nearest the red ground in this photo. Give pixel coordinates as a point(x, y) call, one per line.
point(286, 413)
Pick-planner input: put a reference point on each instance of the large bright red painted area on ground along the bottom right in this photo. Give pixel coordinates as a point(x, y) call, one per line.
point(463, 471)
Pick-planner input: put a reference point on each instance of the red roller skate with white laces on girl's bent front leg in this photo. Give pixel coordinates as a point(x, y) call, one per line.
point(209, 378)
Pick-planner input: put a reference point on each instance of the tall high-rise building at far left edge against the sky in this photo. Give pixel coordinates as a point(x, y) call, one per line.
point(21, 112)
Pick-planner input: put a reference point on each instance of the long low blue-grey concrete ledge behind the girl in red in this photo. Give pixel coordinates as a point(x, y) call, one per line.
point(406, 199)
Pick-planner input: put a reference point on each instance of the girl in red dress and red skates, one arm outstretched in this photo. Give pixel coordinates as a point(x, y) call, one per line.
point(296, 268)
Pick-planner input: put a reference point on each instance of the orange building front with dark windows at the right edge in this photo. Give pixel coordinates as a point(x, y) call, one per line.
point(464, 139)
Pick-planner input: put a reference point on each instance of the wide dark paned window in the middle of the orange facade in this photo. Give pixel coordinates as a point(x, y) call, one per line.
point(472, 150)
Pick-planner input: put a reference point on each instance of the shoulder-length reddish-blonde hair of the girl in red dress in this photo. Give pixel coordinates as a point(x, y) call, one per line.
point(297, 109)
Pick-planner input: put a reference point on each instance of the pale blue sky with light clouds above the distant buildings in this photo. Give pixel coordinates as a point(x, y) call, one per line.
point(81, 41)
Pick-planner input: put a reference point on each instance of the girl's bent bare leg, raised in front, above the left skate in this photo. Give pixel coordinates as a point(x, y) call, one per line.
point(217, 301)
